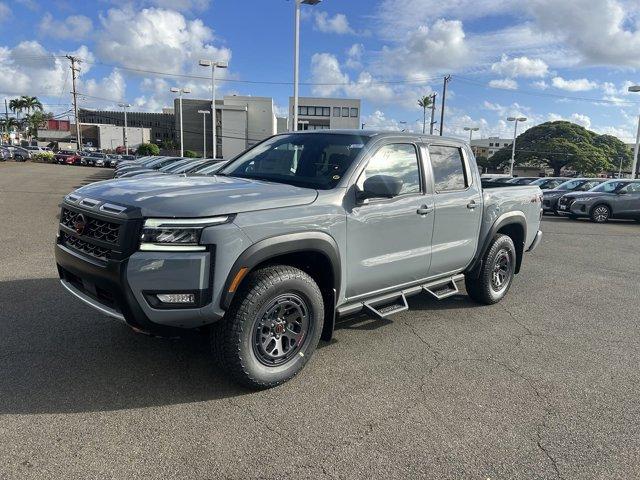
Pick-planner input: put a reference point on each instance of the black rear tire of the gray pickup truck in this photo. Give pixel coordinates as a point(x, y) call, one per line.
point(483, 289)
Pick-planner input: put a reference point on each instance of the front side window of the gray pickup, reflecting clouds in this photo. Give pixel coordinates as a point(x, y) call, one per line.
point(397, 160)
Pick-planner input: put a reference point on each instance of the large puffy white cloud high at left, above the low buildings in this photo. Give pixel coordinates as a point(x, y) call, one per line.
point(154, 39)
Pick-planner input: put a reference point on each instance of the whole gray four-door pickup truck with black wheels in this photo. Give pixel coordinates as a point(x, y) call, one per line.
point(295, 232)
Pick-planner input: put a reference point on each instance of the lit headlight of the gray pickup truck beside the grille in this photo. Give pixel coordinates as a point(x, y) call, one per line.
point(172, 234)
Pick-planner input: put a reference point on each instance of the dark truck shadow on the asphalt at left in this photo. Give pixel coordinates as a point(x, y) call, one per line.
point(58, 356)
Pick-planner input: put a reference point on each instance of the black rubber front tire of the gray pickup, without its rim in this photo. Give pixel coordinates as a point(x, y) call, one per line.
point(233, 338)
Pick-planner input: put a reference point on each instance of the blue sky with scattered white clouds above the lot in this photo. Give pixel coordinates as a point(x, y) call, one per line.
point(541, 59)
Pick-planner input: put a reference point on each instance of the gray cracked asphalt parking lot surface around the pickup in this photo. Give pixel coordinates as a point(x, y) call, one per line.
point(543, 385)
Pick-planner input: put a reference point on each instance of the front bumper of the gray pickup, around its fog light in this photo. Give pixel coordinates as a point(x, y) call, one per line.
point(124, 289)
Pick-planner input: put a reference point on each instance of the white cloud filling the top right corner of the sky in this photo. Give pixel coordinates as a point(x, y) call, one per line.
point(604, 32)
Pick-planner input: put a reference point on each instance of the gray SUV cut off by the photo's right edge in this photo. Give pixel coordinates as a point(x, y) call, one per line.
point(612, 199)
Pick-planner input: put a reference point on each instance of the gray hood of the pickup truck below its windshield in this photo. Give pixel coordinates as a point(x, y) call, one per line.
point(187, 197)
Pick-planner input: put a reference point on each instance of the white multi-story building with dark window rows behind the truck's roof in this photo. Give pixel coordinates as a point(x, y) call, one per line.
point(323, 113)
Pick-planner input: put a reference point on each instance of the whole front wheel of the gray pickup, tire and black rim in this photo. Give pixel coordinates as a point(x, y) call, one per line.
point(272, 327)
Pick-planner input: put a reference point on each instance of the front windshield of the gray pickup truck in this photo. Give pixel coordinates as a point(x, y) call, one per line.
point(312, 160)
